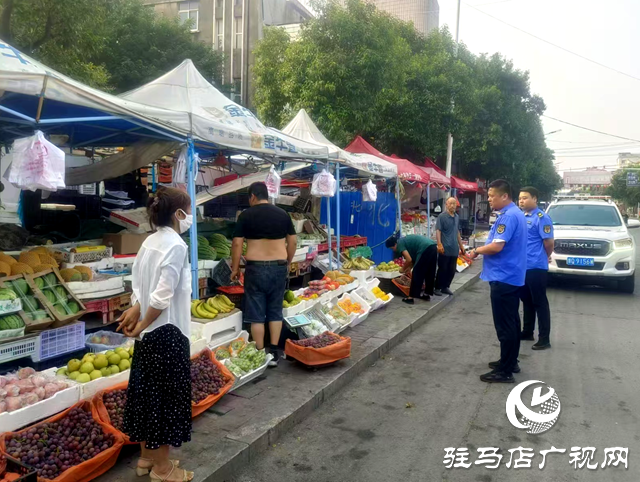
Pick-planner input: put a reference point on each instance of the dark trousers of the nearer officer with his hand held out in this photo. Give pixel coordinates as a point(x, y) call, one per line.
point(505, 302)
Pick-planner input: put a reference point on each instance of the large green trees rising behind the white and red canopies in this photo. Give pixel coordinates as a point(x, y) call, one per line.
point(357, 70)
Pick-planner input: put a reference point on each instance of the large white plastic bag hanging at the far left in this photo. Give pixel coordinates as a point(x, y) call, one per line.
point(36, 164)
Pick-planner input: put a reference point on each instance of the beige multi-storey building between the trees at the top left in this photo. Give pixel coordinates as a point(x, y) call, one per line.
point(233, 27)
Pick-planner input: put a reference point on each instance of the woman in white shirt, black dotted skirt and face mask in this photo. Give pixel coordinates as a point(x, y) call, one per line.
point(158, 409)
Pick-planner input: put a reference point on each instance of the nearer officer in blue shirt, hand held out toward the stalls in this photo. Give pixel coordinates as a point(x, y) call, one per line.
point(504, 267)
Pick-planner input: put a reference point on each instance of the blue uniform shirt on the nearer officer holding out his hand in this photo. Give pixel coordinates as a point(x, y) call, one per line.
point(509, 265)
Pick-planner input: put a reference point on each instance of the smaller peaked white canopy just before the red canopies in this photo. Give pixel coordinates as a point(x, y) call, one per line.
point(302, 127)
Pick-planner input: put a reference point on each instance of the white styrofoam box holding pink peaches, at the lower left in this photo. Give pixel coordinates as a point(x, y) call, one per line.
point(43, 409)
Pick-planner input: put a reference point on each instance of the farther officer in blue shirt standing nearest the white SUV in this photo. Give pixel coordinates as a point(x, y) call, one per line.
point(539, 248)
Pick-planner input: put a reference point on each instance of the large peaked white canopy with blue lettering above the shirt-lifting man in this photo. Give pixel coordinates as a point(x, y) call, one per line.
point(205, 111)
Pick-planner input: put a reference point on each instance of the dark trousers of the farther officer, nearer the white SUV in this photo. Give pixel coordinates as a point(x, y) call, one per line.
point(534, 301)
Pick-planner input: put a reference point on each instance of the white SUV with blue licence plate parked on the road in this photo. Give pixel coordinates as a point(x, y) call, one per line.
point(592, 241)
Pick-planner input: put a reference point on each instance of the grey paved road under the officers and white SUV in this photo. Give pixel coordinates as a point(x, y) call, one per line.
point(395, 421)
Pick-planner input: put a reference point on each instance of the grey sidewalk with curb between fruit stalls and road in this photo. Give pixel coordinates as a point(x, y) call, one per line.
point(245, 422)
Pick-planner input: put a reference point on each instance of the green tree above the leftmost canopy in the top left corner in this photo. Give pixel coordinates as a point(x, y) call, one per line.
point(113, 45)
